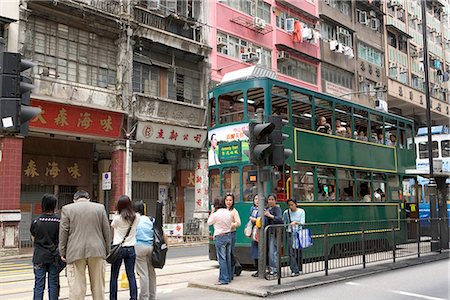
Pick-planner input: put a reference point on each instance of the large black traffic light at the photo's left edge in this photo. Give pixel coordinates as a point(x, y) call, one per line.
point(15, 91)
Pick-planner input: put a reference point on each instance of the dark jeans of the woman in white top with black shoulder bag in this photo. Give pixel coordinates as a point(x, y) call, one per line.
point(128, 256)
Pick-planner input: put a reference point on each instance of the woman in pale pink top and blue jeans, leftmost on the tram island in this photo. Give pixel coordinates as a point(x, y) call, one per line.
point(222, 219)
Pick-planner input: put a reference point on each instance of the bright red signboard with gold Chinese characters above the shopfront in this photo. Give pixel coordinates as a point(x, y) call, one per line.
point(77, 119)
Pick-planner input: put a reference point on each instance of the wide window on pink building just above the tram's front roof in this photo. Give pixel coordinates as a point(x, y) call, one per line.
point(234, 47)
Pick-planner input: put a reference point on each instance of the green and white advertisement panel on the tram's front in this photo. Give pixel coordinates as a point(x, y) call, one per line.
point(227, 144)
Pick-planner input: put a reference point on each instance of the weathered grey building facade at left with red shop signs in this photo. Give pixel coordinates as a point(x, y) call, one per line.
point(122, 88)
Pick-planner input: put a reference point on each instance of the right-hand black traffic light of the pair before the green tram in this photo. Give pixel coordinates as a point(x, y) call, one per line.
point(280, 154)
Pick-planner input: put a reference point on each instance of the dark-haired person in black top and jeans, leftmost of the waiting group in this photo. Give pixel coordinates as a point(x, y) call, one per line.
point(45, 232)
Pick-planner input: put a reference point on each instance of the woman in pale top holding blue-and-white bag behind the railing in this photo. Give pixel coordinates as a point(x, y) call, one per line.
point(294, 217)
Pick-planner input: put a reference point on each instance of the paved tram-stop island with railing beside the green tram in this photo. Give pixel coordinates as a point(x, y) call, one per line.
point(247, 285)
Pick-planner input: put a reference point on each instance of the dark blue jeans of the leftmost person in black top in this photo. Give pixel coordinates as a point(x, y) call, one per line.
point(40, 271)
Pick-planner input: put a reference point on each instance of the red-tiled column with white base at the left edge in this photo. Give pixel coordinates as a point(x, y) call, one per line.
point(10, 181)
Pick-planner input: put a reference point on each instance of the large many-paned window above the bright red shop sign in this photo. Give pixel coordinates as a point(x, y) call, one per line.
point(72, 54)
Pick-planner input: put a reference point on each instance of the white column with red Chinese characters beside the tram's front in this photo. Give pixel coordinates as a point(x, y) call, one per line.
point(201, 192)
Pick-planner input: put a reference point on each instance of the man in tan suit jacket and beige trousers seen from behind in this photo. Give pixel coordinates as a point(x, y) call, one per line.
point(84, 240)
